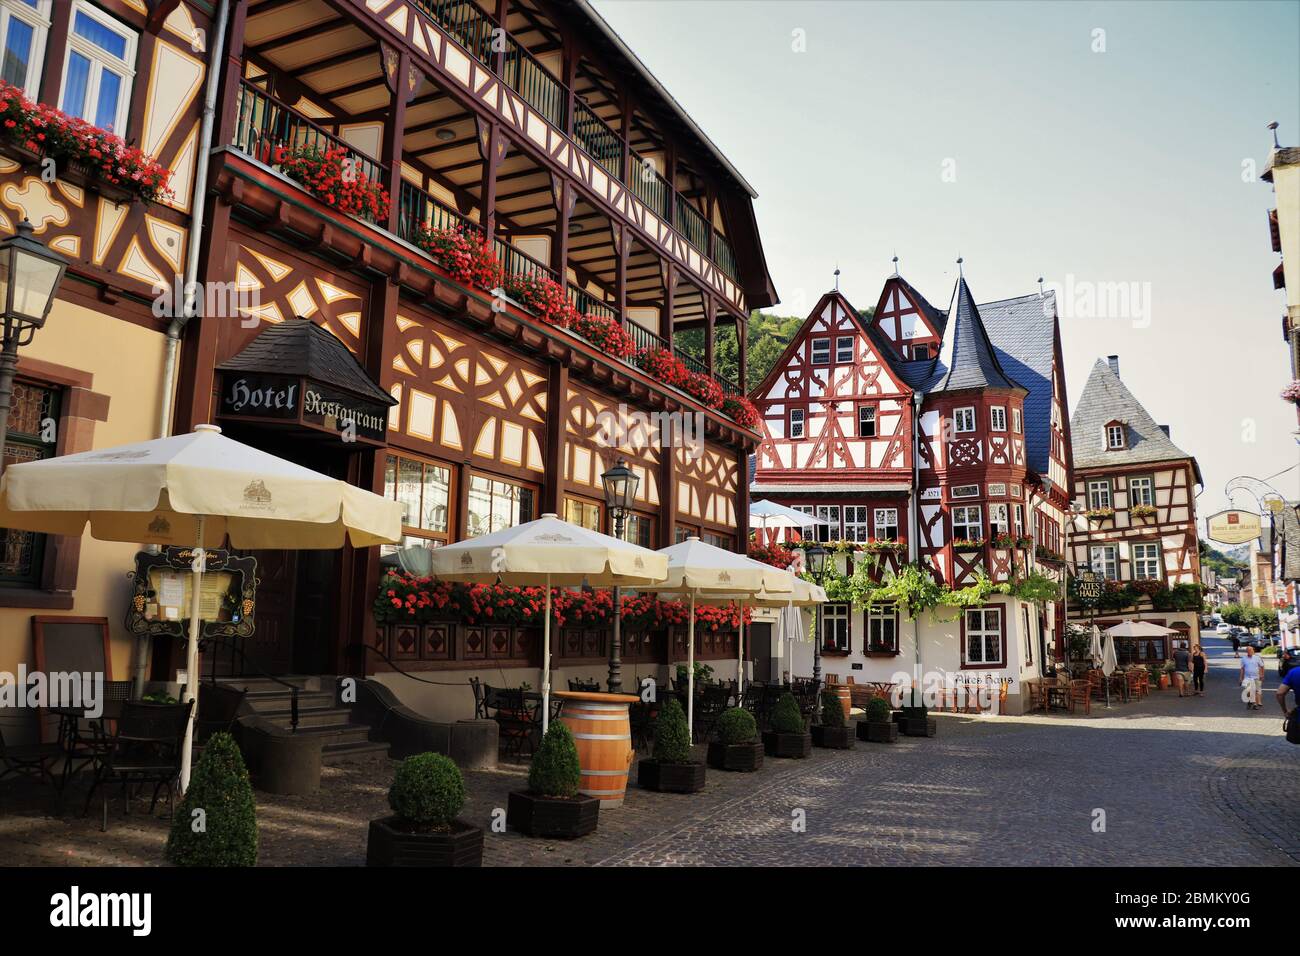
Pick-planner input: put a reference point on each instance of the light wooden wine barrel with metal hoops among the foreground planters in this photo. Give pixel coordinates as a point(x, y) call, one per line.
point(604, 737)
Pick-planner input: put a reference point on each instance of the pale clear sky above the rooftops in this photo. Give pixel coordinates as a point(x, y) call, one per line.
point(1124, 166)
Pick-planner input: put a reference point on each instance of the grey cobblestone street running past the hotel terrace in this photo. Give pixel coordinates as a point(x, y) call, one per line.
point(1182, 782)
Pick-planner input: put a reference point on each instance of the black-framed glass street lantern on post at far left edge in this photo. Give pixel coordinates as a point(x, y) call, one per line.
point(31, 274)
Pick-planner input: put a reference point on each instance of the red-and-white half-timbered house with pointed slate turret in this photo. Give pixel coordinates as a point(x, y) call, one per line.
point(935, 436)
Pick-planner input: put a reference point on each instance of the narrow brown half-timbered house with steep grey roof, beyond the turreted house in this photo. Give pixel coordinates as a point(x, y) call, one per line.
point(1136, 513)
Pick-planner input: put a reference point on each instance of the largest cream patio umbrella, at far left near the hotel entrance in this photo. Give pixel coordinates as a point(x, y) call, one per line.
point(194, 490)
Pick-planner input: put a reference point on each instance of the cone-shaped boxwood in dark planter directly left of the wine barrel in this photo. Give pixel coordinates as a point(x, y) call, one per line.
point(552, 806)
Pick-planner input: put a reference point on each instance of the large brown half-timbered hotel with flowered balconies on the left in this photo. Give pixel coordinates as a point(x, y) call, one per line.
point(526, 128)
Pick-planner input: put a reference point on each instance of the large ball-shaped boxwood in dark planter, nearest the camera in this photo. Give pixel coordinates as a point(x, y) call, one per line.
point(426, 797)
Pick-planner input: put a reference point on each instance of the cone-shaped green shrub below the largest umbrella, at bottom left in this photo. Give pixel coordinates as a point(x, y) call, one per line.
point(216, 824)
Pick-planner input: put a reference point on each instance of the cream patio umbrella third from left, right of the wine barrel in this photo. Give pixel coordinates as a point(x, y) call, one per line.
point(699, 569)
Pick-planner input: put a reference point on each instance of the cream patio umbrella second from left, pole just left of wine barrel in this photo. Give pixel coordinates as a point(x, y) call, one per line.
point(549, 552)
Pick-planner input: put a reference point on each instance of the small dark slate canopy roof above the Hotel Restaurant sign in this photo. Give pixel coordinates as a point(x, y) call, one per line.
point(302, 348)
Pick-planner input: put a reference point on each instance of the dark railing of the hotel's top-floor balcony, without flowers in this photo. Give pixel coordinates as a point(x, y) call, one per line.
point(474, 29)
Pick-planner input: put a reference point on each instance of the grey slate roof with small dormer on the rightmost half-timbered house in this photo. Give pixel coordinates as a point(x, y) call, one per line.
point(1106, 399)
